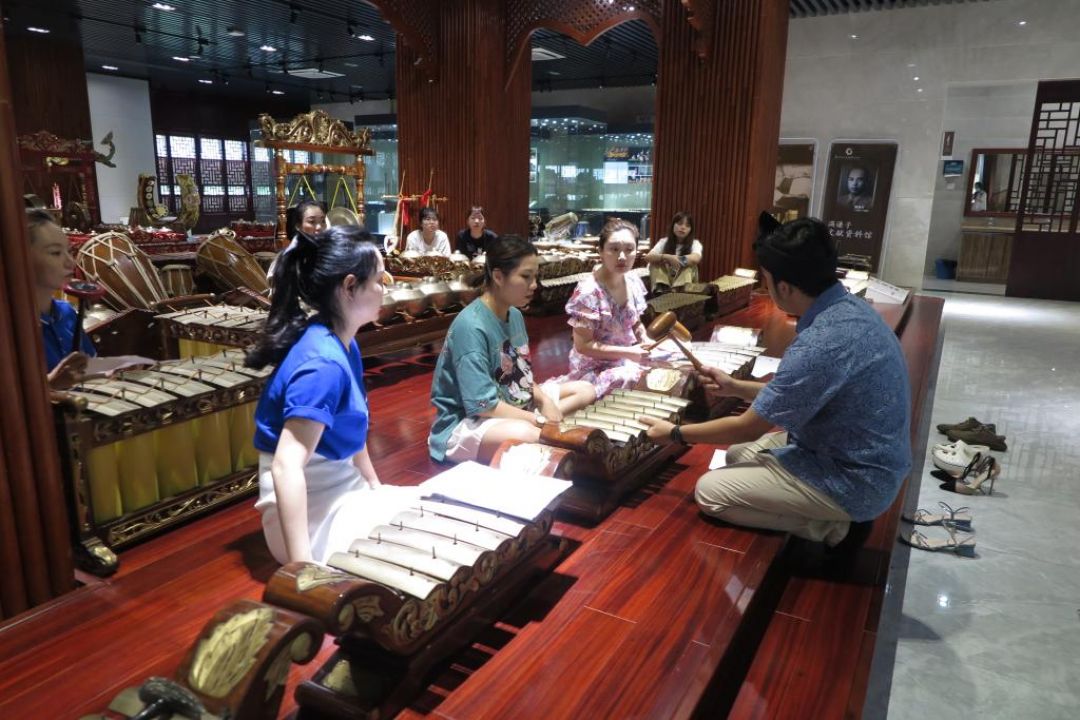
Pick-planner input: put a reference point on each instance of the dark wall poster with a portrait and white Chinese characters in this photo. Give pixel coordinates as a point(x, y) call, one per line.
point(858, 186)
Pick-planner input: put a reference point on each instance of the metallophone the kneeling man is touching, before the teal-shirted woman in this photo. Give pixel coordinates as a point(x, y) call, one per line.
point(603, 449)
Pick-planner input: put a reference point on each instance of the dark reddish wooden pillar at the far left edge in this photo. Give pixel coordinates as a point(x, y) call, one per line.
point(35, 545)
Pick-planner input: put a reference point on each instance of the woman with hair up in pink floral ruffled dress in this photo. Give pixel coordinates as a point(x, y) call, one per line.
point(605, 313)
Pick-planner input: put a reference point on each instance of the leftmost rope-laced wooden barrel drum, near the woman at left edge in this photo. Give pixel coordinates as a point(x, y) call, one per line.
point(126, 273)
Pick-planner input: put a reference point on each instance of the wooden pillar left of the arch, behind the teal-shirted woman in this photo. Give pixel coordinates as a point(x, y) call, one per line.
point(465, 121)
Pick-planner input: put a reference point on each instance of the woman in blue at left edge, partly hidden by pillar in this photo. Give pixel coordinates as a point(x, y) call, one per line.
point(52, 268)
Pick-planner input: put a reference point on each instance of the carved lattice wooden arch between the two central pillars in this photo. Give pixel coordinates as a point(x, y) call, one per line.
point(584, 22)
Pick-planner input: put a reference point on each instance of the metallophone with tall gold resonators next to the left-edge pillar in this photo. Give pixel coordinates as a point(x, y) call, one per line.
point(151, 449)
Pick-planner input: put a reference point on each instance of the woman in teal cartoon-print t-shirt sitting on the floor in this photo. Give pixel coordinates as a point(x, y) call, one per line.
point(483, 388)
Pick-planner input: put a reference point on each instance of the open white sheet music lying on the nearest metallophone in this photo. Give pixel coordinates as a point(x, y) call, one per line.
point(503, 492)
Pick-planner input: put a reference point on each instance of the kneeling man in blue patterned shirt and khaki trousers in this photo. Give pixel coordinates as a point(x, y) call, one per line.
point(841, 398)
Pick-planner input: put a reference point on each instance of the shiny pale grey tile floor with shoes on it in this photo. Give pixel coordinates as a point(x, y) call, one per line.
point(996, 636)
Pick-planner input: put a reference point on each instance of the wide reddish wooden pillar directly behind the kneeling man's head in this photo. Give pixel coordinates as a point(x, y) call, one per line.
point(719, 123)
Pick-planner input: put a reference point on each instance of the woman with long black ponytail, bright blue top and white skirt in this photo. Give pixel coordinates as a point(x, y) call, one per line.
point(312, 422)
